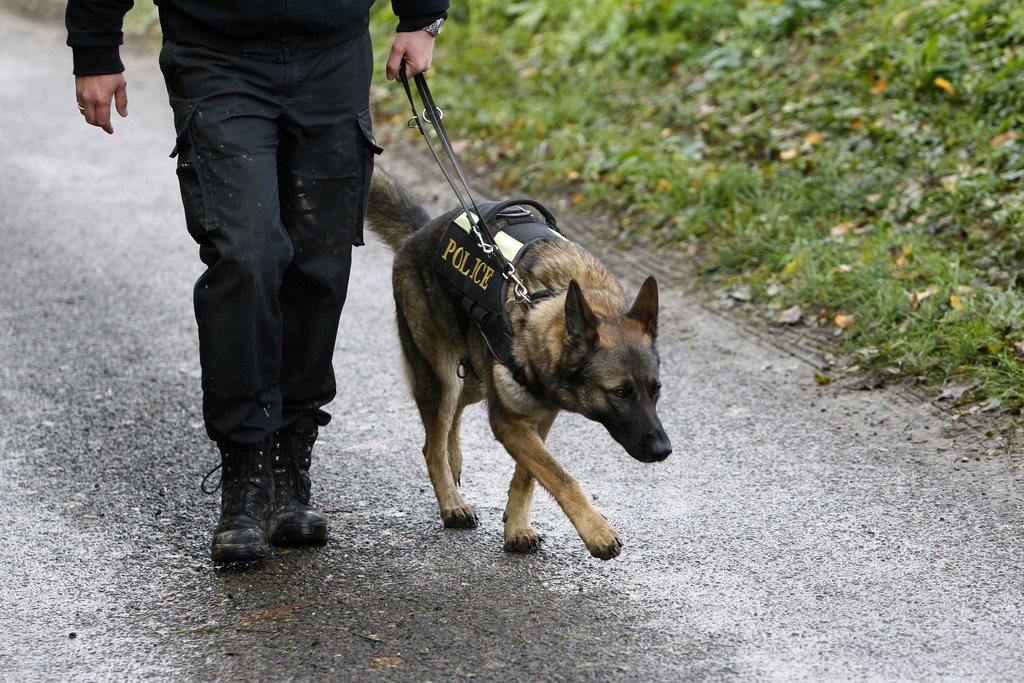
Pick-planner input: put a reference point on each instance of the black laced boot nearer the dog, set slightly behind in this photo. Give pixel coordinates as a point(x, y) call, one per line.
point(295, 523)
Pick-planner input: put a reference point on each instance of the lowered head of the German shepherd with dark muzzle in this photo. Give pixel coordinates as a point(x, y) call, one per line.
point(610, 371)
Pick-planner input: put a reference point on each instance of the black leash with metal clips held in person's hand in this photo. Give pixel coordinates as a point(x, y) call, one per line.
point(434, 115)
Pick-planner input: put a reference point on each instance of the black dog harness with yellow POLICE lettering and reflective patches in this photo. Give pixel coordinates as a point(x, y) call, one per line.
point(475, 280)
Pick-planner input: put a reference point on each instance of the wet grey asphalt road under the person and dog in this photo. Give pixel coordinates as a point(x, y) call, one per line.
point(797, 533)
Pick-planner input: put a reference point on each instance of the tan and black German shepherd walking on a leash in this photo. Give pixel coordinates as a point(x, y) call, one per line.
point(582, 350)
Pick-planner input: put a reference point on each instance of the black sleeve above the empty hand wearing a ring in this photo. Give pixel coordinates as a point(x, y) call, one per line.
point(95, 34)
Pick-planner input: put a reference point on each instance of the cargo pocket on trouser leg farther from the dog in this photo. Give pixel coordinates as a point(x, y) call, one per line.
point(193, 177)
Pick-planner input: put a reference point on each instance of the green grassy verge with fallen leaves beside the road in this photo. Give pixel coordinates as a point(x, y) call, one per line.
point(852, 166)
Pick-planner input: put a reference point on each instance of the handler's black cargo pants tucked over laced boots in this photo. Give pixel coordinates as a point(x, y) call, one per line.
point(275, 157)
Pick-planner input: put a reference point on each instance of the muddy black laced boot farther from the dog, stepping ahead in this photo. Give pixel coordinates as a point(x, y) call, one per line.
point(246, 503)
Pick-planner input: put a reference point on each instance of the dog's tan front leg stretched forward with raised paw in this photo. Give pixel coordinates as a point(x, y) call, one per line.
point(522, 440)
